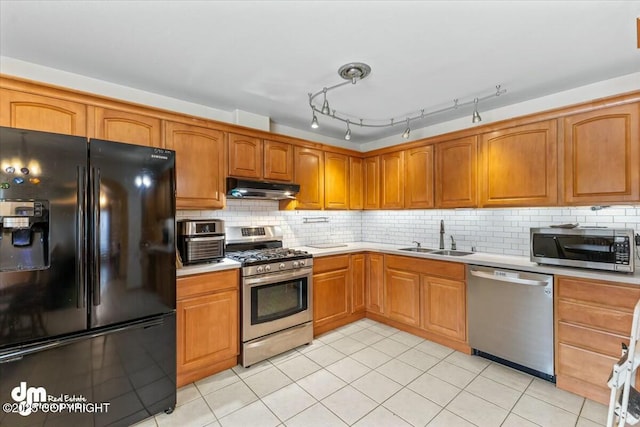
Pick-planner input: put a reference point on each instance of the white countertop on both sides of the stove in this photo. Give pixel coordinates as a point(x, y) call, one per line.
point(477, 258)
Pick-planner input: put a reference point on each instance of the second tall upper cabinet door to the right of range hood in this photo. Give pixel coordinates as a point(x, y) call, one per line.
point(336, 181)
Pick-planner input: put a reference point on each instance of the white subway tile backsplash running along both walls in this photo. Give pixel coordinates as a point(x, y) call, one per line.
point(500, 231)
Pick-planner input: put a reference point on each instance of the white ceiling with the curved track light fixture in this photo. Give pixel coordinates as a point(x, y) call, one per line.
point(264, 57)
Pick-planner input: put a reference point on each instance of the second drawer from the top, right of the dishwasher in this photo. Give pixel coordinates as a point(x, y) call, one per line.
point(593, 316)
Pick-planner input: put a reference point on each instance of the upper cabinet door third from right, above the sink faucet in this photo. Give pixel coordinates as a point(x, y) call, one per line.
point(456, 178)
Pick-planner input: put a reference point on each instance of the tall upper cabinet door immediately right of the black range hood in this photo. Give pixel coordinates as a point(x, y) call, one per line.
point(309, 174)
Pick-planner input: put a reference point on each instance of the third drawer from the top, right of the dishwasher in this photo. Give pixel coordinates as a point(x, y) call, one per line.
point(606, 343)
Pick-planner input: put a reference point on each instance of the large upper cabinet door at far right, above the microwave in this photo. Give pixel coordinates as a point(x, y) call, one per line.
point(602, 156)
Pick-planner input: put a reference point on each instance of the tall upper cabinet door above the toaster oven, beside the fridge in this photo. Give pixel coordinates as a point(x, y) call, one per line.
point(199, 165)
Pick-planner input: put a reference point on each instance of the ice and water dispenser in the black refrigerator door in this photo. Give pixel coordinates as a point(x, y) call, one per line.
point(24, 235)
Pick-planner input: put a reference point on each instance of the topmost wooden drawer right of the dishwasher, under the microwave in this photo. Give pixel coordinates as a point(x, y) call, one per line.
point(605, 293)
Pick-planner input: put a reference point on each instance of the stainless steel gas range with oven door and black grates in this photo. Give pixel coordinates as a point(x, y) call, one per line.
point(276, 292)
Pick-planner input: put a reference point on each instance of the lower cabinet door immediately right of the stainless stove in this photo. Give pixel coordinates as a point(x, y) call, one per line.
point(330, 296)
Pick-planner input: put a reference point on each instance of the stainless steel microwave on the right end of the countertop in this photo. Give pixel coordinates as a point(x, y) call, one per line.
point(596, 247)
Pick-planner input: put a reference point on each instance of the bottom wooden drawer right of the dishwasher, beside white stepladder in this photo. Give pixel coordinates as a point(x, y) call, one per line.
point(586, 365)
